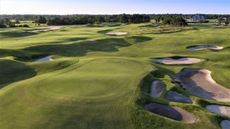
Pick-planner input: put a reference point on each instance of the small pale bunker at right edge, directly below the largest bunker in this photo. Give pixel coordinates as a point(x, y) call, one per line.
point(220, 110)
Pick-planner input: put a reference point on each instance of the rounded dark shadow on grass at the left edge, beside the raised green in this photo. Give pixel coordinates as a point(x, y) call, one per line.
point(12, 71)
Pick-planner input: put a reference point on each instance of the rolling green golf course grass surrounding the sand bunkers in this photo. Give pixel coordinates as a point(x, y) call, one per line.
point(96, 79)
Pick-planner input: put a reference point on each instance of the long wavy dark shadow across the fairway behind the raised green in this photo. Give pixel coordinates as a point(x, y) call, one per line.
point(80, 49)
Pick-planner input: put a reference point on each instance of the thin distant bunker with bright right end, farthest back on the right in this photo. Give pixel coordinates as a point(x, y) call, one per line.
point(202, 47)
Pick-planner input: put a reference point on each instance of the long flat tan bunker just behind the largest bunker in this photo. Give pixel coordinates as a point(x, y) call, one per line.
point(177, 61)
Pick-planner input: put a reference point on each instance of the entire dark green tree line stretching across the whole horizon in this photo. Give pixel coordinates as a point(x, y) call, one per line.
point(166, 19)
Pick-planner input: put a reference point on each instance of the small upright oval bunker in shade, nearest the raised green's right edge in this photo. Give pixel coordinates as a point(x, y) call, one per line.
point(157, 88)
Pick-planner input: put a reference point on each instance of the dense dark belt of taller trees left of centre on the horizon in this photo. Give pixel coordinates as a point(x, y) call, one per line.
point(95, 19)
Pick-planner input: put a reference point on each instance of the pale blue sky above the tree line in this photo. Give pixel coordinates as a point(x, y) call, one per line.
point(114, 6)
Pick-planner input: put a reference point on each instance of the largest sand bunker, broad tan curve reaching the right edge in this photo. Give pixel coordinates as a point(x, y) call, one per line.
point(199, 82)
